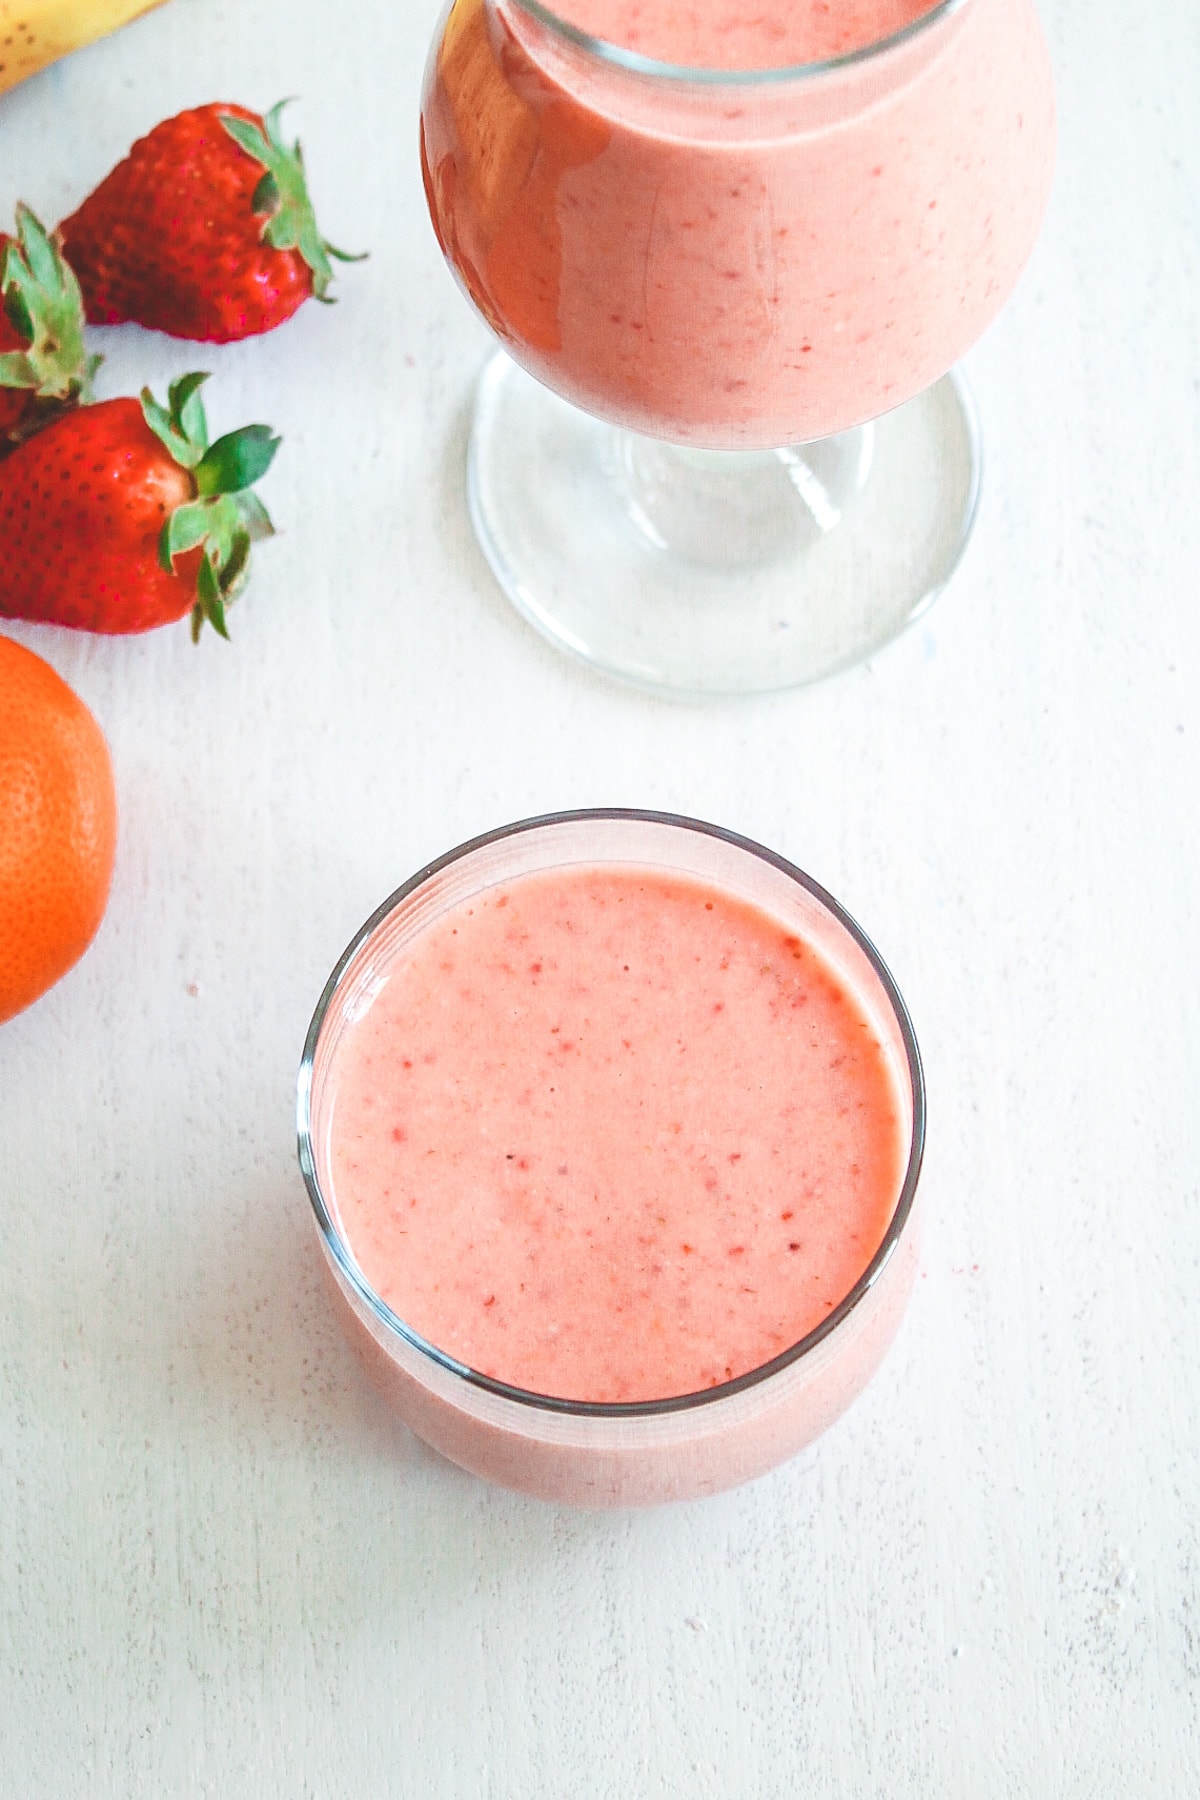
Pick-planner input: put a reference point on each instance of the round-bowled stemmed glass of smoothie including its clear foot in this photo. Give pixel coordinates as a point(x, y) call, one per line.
point(722, 449)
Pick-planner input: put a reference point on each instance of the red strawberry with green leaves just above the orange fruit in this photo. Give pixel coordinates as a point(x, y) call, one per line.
point(121, 516)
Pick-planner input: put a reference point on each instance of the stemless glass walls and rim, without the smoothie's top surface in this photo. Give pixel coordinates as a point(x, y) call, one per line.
point(593, 1453)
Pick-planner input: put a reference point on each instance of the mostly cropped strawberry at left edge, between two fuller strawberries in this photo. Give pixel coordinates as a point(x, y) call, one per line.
point(44, 364)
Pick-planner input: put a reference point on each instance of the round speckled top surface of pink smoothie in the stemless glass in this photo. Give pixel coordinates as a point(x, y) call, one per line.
point(614, 1135)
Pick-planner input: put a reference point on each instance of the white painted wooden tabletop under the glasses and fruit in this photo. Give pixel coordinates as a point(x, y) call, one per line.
point(224, 1570)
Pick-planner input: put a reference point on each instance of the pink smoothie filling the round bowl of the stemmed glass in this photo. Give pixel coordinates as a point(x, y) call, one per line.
point(742, 264)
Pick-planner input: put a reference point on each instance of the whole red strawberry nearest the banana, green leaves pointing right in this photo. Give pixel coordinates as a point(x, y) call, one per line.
point(206, 231)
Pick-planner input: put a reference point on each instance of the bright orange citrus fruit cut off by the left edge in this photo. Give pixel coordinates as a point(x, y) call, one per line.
point(58, 827)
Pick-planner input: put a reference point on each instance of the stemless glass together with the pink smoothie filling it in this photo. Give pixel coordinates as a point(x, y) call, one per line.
point(613, 1126)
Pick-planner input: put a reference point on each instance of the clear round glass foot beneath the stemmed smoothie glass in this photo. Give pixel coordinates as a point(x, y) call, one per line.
point(719, 571)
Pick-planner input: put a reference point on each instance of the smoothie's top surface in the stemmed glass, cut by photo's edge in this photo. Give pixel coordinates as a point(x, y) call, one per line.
point(733, 35)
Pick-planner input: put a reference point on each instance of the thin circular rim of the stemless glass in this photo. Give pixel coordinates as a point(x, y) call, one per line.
point(528, 1398)
